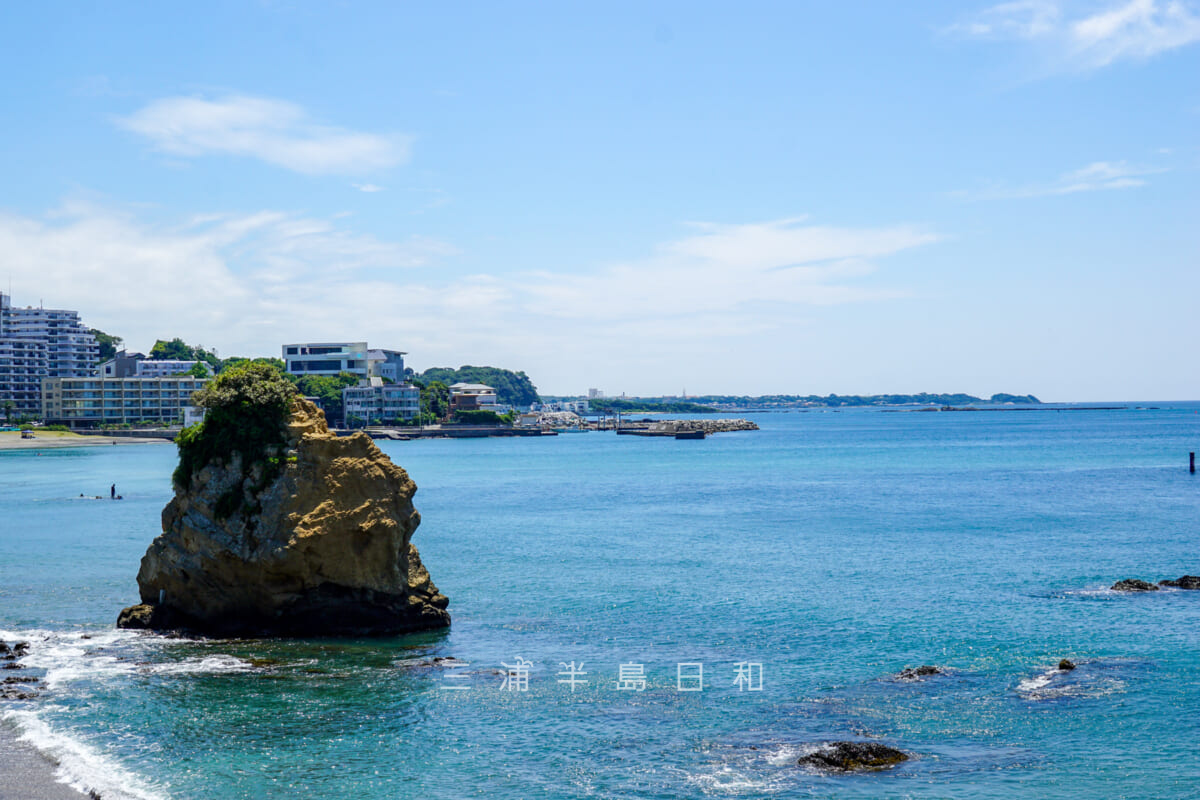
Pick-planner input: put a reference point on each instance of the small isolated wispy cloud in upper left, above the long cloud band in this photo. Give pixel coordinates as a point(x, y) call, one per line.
point(271, 130)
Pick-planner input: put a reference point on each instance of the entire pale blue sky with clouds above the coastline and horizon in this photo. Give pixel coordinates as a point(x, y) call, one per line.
point(721, 199)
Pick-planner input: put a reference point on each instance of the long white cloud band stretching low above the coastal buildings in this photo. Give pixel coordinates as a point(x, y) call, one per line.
point(245, 284)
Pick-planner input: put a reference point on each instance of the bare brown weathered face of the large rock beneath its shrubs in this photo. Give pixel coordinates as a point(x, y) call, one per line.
point(321, 550)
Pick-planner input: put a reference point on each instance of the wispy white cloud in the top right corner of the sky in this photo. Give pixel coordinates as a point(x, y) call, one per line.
point(1093, 39)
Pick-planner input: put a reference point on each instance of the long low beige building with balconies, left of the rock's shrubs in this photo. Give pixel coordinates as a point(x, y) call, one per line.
point(97, 400)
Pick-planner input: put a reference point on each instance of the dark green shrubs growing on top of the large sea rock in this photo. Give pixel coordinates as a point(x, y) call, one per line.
point(248, 410)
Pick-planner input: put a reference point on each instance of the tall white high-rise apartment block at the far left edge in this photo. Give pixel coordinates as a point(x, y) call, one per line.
point(38, 344)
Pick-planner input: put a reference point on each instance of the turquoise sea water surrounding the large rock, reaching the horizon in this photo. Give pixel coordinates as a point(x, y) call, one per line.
point(832, 549)
